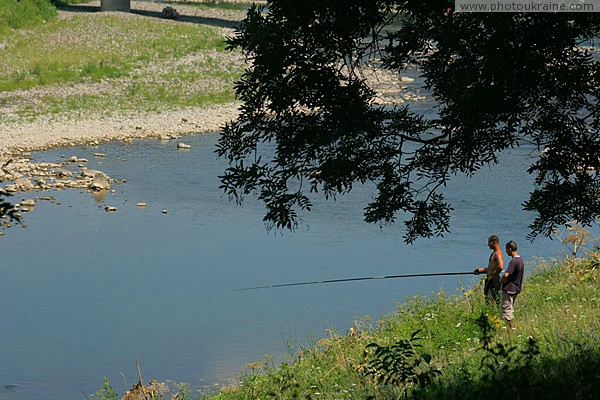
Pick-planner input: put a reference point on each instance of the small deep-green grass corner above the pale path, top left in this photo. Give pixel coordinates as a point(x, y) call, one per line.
point(24, 13)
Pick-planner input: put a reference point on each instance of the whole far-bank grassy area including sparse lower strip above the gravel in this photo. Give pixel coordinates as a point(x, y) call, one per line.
point(105, 64)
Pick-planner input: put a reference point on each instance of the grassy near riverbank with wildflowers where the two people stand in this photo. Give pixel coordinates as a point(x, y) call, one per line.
point(460, 348)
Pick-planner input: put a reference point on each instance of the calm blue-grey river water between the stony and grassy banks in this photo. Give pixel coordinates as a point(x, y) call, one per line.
point(83, 292)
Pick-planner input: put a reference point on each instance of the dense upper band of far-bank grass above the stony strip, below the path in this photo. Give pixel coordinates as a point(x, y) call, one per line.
point(95, 47)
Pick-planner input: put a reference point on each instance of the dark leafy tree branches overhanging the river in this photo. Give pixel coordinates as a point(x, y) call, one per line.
point(308, 121)
